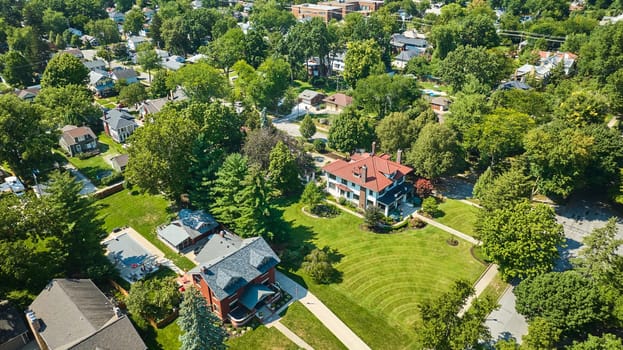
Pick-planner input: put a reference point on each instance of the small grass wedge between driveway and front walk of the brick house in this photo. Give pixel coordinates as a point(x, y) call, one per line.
point(304, 324)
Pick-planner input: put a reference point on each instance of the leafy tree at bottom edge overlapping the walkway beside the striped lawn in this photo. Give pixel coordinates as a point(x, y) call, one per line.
point(442, 328)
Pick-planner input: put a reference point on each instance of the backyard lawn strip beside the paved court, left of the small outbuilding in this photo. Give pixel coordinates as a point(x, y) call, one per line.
point(144, 213)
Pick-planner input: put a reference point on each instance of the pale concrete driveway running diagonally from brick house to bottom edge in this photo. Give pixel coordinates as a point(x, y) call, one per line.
point(322, 312)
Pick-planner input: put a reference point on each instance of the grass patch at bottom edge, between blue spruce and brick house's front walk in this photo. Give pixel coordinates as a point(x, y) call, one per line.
point(261, 338)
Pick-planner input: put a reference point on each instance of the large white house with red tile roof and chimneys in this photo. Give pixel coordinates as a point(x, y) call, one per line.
point(369, 180)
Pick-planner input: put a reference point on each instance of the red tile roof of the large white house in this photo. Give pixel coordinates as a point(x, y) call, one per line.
point(381, 171)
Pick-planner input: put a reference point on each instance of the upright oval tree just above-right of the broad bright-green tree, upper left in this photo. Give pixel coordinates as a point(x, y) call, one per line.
point(227, 49)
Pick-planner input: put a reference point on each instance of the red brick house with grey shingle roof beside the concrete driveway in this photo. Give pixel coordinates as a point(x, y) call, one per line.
point(236, 282)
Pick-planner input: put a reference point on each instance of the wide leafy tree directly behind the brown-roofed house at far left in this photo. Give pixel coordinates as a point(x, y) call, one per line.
point(70, 105)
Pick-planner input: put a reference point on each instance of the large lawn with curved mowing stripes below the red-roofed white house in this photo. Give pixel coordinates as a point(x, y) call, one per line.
point(384, 276)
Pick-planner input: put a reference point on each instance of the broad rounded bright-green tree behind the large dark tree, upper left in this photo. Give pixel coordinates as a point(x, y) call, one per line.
point(200, 82)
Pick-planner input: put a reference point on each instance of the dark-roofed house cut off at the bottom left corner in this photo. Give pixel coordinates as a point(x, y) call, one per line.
point(13, 330)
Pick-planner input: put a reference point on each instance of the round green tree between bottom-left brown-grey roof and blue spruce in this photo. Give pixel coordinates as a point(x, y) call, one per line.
point(153, 298)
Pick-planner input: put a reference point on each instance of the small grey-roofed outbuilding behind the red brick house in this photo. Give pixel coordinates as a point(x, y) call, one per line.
point(190, 227)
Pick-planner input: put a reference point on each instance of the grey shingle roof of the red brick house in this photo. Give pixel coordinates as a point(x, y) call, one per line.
point(226, 274)
